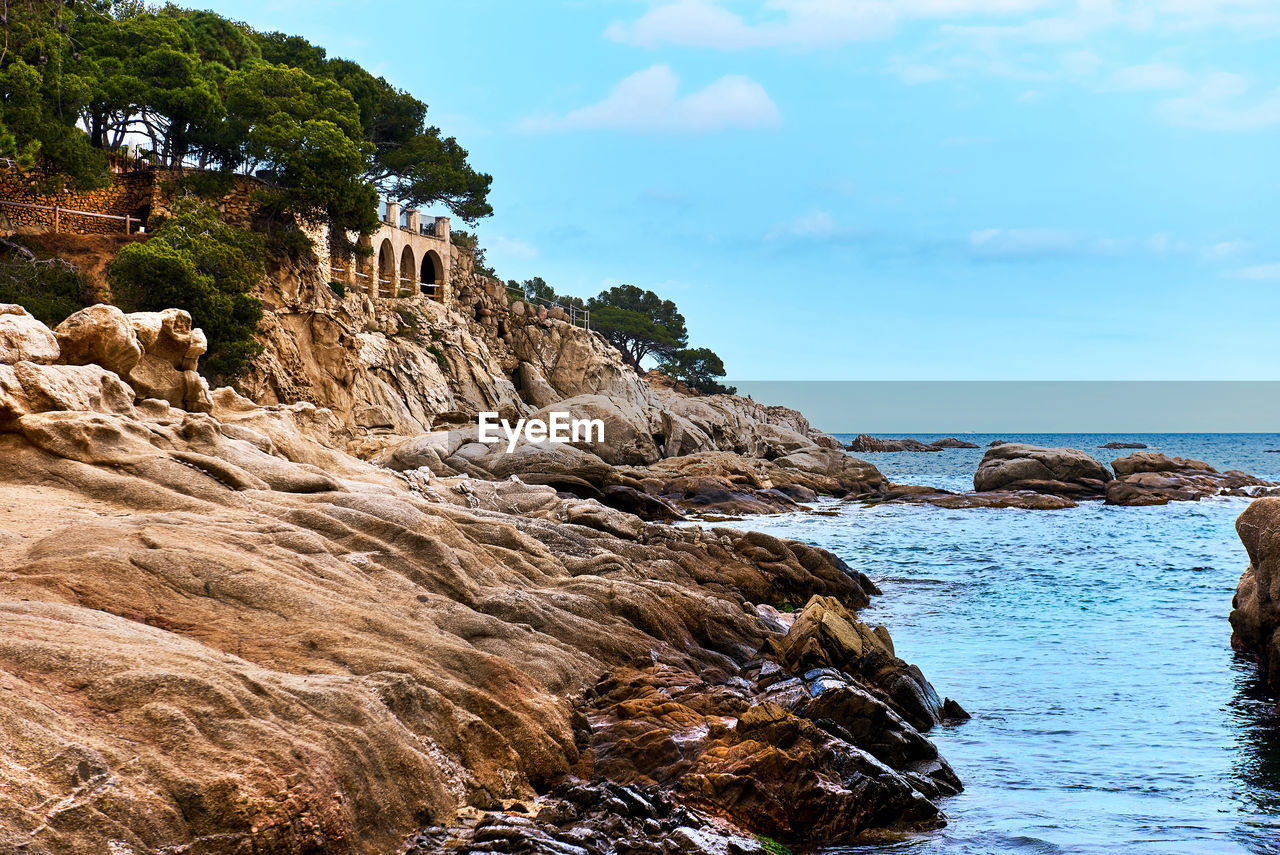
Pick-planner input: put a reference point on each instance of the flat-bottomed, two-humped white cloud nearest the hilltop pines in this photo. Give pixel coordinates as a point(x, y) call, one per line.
point(651, 102)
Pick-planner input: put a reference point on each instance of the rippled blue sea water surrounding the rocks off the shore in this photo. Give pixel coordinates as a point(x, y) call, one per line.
point(1091, 647)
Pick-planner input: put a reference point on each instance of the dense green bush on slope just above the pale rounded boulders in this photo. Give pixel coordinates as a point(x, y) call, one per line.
point(198, 263)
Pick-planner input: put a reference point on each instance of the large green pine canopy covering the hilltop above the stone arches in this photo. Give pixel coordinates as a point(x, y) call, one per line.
point(83, 79)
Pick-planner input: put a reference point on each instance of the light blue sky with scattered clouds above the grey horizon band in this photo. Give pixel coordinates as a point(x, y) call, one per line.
point(874, 190)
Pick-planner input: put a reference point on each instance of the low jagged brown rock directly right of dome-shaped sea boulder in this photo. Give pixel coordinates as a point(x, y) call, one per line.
point(1151, 478)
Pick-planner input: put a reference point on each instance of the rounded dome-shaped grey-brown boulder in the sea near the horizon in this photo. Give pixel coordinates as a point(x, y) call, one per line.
point(1055, 472)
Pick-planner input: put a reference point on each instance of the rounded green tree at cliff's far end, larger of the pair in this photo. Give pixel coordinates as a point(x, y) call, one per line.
point(639, 323)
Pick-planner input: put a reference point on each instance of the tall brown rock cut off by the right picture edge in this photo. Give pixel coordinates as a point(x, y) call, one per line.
point(1256, 609)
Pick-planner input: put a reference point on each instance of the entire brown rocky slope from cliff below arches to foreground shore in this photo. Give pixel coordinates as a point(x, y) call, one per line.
point(312, 624)
